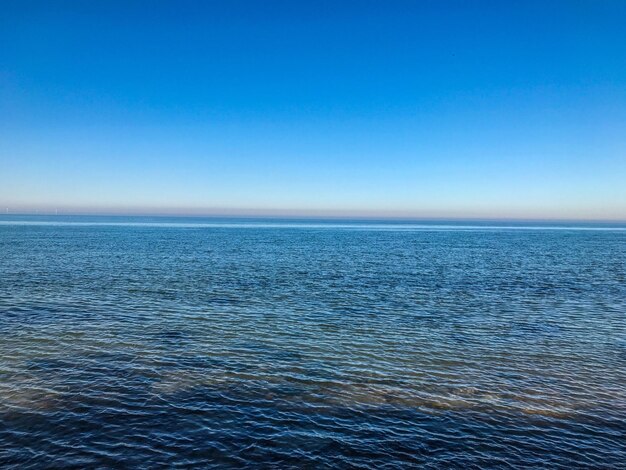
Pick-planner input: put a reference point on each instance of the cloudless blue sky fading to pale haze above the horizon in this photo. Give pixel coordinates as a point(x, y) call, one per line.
point(423, 108)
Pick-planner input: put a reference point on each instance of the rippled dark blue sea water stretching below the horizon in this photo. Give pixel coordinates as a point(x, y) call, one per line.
point(146, 343)
